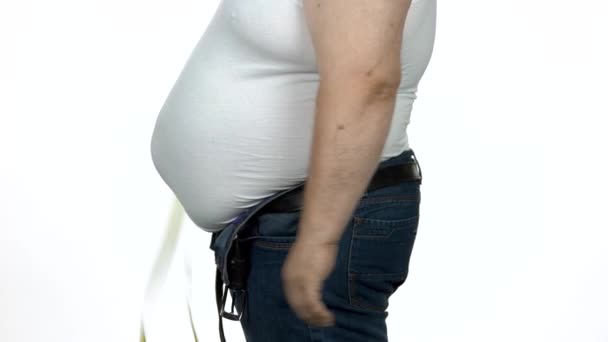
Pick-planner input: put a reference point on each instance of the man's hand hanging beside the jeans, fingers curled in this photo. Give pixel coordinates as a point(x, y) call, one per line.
point(307, 266)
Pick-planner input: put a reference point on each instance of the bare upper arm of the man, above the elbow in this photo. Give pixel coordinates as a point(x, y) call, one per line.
point(357, 39)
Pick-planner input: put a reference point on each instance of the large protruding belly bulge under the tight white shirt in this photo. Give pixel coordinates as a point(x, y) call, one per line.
point(221, 151)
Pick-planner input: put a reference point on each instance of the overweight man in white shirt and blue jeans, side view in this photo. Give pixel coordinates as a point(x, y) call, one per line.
point(323, 273)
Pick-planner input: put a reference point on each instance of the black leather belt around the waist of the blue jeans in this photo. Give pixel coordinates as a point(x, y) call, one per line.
point(386, 176)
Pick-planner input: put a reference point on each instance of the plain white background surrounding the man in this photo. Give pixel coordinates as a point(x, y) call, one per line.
point(509, 127)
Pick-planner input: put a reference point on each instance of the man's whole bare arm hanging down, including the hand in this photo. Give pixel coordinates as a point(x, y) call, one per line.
point(357, 45)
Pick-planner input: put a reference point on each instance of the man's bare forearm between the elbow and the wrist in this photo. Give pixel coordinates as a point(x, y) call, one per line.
point(351, 127)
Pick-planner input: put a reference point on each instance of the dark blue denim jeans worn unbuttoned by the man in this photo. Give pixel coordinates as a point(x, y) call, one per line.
point(372, 262)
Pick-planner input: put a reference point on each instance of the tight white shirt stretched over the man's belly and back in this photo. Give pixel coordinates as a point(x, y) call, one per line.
point(237, 126)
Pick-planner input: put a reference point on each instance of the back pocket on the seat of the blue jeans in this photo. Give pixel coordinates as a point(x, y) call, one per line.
point(379, 254)
